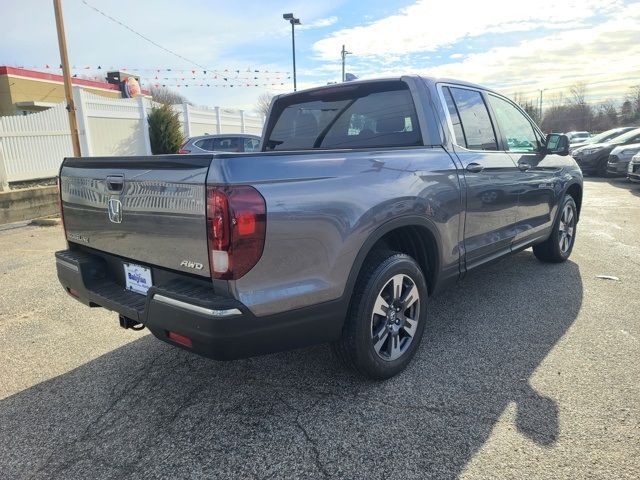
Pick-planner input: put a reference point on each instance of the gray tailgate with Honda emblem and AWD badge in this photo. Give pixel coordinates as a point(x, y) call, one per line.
point(148, 209)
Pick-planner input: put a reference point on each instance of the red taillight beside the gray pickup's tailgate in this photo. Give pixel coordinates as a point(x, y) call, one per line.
point(236, 226)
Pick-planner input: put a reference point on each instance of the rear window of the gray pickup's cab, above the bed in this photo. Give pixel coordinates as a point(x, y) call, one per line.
point(362, 117)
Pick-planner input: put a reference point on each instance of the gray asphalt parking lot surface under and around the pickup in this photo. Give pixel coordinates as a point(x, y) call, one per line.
point(526, 371)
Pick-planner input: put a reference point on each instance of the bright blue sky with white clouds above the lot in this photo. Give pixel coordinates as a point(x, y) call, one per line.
point(516, 47)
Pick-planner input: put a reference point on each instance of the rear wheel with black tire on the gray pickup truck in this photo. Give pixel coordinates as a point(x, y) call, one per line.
point(357, 346)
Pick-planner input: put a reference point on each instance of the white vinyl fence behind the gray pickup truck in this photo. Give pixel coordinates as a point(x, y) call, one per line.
point(33, 146)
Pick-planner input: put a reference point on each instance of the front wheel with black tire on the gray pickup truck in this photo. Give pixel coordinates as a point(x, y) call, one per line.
point(556, 249)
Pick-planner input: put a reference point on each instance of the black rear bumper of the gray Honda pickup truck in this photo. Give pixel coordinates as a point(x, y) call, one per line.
point(217, 327)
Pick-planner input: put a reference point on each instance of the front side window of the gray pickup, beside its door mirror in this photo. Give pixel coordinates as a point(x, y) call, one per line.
point(515, 127)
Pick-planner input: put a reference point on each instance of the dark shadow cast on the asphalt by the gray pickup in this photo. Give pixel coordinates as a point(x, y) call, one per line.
point(148, 410)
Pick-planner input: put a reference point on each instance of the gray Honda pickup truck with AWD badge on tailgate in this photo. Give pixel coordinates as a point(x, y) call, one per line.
point(366, 199)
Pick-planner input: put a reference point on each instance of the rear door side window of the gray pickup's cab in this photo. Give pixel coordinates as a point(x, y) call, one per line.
point(475, 123)
